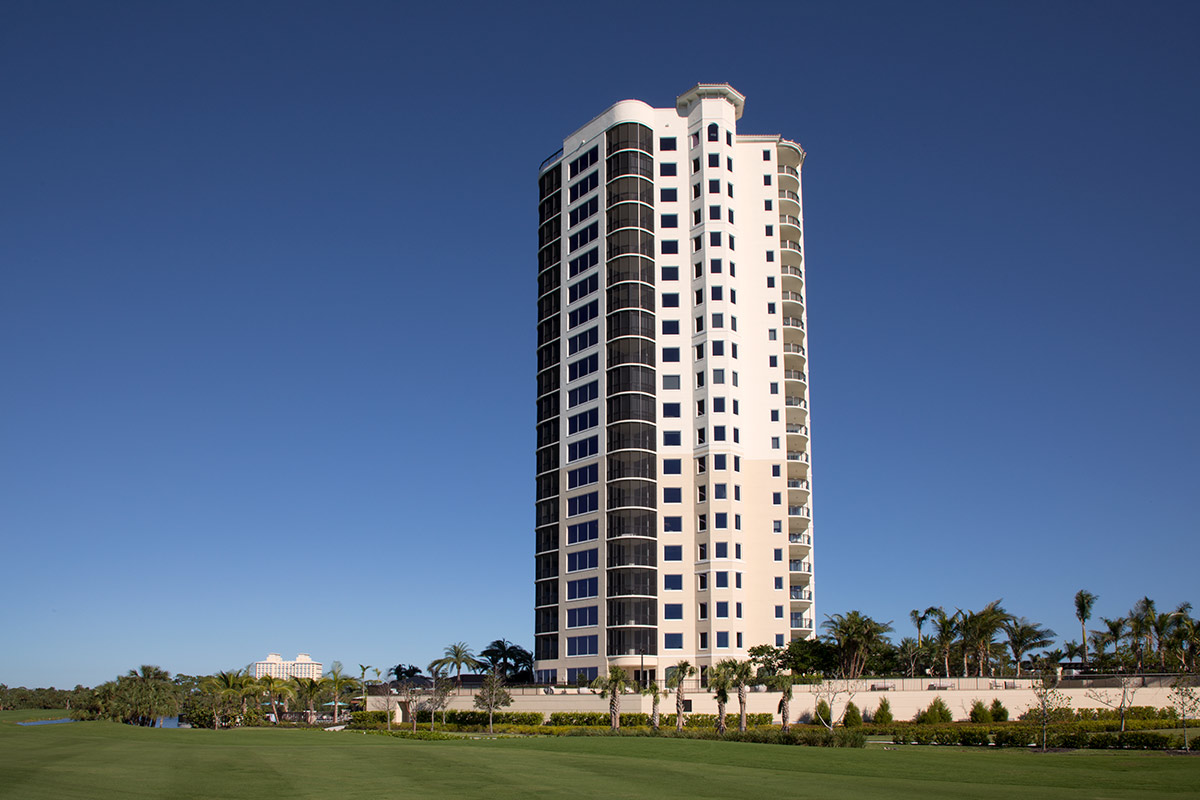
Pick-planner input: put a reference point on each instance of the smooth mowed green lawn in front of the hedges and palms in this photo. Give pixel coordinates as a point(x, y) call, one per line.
point(101, 760)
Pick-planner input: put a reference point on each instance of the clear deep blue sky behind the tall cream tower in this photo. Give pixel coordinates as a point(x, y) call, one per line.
point(267, 310)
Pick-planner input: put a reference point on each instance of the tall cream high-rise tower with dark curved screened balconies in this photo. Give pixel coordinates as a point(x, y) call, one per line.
point(673, 465)
